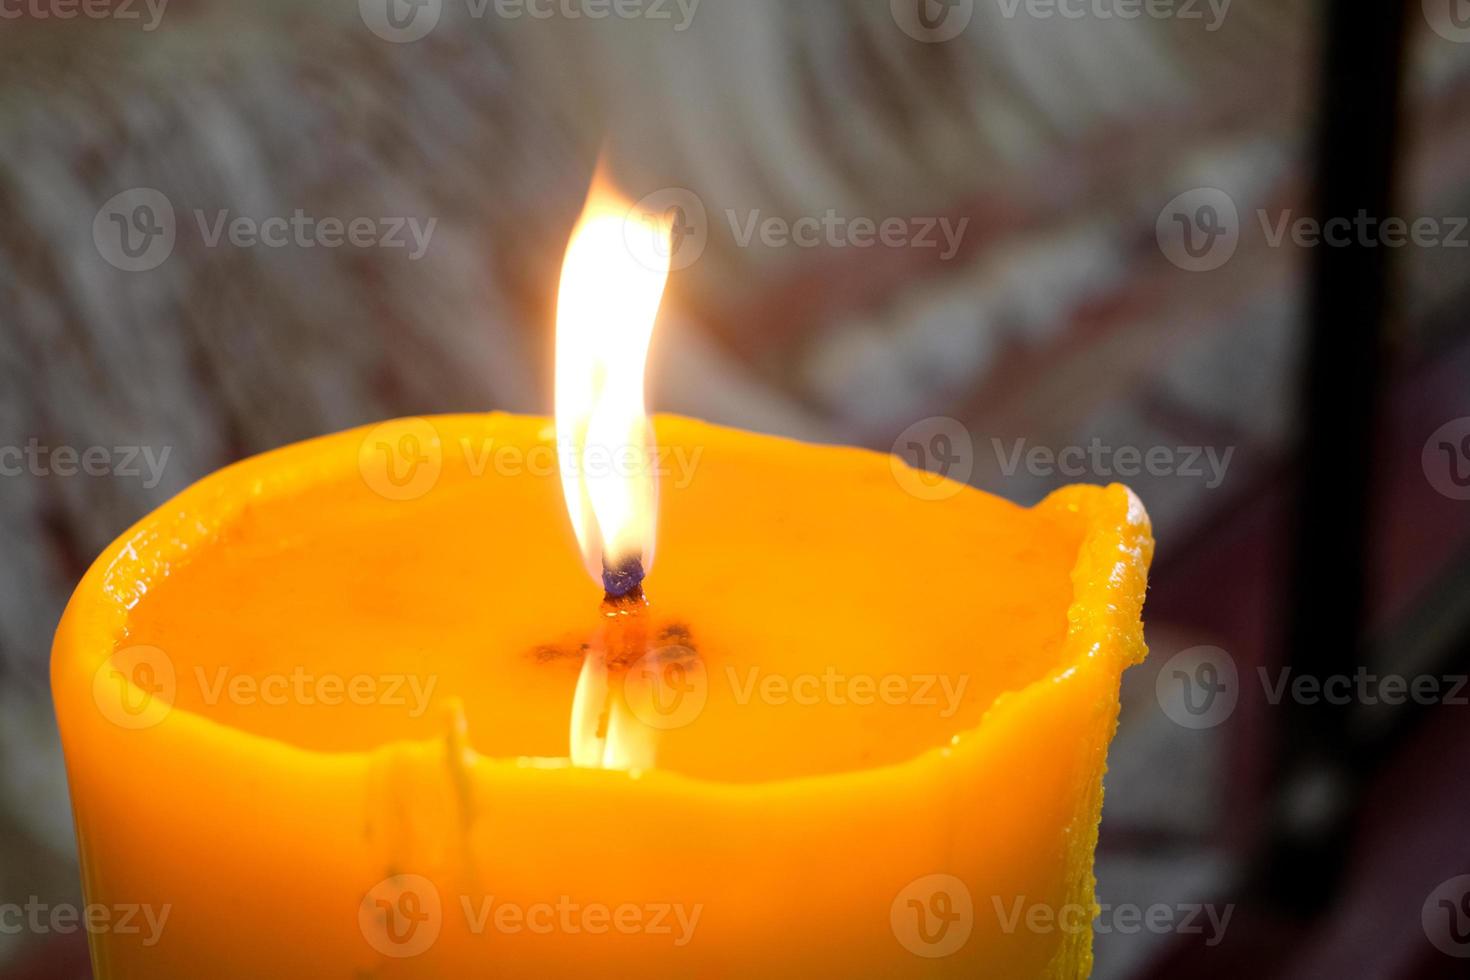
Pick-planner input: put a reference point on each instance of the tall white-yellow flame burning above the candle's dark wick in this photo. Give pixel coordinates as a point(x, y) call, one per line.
point(612, 283)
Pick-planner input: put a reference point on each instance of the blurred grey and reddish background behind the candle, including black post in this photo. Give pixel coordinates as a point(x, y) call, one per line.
point(1043, 242)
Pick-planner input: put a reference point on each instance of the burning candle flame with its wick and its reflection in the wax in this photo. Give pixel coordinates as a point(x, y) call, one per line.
point(612, 283)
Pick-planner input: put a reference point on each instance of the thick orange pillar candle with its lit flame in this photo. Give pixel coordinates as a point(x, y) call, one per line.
point(354, 709)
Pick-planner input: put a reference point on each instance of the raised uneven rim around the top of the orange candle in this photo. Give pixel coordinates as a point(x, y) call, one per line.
point(1114, 555)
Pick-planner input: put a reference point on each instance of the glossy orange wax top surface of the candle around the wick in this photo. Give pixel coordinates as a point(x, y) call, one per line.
point(337, 602)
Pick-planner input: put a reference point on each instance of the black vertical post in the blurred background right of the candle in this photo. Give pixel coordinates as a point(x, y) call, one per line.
point(1358, 145)
